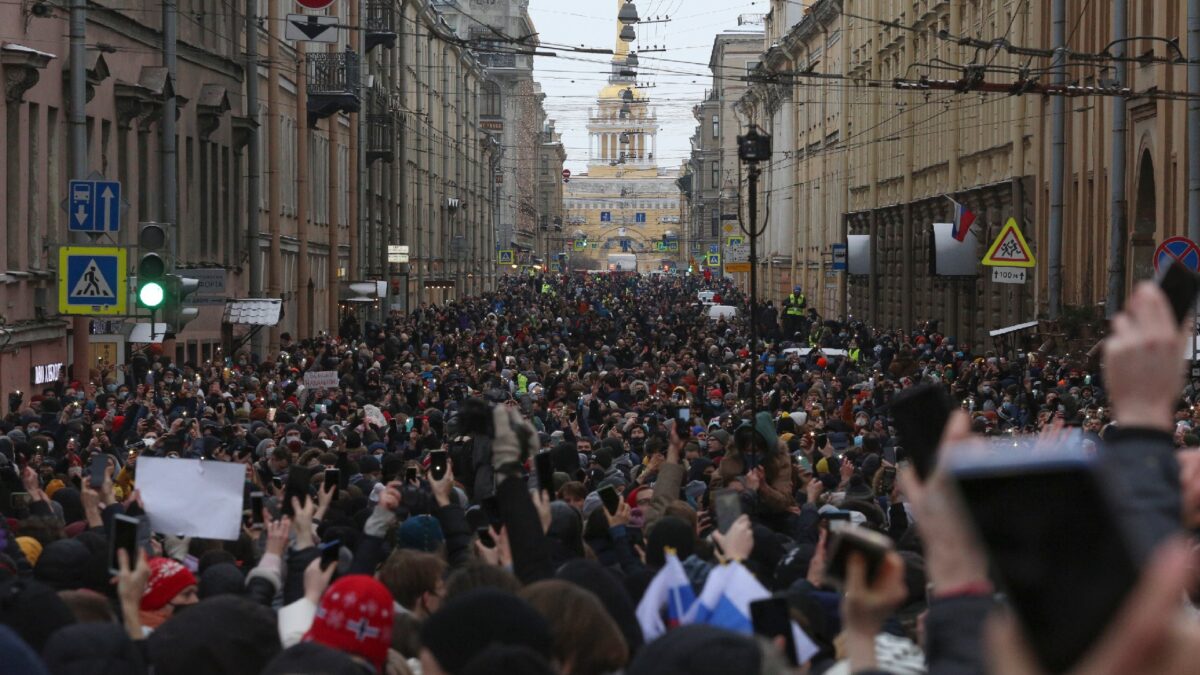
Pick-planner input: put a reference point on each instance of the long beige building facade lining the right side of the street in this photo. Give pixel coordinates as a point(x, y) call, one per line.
point(855, 156)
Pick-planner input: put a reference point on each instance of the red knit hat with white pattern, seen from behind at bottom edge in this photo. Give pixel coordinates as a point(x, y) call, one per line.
point(356, 618)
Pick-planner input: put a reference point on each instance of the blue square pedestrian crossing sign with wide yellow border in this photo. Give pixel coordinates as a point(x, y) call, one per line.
point(93, 280)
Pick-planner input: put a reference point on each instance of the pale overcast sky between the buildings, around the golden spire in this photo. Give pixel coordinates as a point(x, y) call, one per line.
point(680, 75)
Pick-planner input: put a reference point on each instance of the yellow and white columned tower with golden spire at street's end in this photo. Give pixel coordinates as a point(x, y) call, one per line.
point(623, 128)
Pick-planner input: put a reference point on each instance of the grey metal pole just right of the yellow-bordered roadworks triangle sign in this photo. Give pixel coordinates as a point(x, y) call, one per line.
point(1058, 158)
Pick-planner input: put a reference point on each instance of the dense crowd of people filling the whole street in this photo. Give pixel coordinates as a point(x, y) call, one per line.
point(439, 546)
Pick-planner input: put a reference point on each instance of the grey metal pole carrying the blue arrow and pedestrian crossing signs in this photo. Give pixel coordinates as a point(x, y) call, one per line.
point(79, 121)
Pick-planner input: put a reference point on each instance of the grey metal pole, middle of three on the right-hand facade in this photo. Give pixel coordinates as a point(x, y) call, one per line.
point(1119, 208)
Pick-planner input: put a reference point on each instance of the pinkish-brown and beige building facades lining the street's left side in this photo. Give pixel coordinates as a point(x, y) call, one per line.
point(345, 171)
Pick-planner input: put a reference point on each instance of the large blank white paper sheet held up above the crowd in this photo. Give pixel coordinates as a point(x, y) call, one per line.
point(193, 498)
